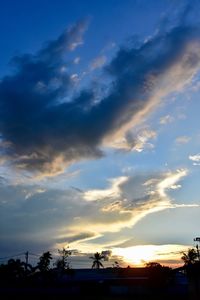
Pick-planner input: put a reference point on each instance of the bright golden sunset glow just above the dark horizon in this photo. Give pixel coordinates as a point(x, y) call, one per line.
point(142, 254)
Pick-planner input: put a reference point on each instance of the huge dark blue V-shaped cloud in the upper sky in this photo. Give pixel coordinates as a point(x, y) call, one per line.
point(44, 132)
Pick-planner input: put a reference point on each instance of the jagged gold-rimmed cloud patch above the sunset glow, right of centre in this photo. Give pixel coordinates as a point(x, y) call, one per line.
point(129, 200)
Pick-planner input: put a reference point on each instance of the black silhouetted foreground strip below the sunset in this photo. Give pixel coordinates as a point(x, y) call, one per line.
point(151, 282)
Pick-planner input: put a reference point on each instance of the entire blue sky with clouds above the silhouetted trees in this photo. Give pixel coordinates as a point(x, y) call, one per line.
point(99, 129)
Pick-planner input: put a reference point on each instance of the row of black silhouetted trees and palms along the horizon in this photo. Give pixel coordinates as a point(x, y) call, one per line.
point(16, 271)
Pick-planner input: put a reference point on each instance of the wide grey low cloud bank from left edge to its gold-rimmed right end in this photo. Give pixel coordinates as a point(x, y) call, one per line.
point(43, 219)
